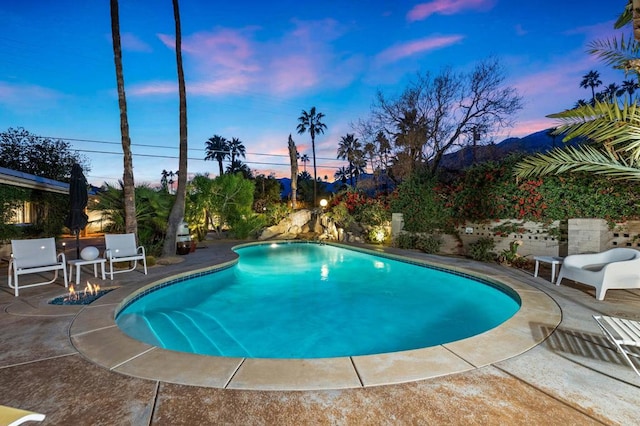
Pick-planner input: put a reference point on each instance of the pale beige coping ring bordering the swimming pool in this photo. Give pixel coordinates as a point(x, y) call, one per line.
point(96, 336)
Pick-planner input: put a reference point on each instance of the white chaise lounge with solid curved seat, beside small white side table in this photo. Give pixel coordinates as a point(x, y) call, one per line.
point(617, 268)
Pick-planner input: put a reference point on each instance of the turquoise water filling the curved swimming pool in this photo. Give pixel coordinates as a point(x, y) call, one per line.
point(302, 300)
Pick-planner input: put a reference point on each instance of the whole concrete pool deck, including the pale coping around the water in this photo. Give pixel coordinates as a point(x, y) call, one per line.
point(63, 361)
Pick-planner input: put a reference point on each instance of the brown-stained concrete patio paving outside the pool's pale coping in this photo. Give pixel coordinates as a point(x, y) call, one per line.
point(570, 378)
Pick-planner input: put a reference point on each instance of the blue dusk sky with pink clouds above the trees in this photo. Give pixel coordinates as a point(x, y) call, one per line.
point(252, 67)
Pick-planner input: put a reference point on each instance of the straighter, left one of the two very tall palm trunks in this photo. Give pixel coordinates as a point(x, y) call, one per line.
point(131, 224)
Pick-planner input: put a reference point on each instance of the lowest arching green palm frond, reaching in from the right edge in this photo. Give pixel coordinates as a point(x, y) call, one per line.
point(578, 159)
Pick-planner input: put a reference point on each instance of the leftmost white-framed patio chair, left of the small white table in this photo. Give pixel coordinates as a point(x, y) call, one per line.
point(35, 256)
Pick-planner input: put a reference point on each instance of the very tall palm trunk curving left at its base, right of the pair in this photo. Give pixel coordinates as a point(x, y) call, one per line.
point(177, 211)
